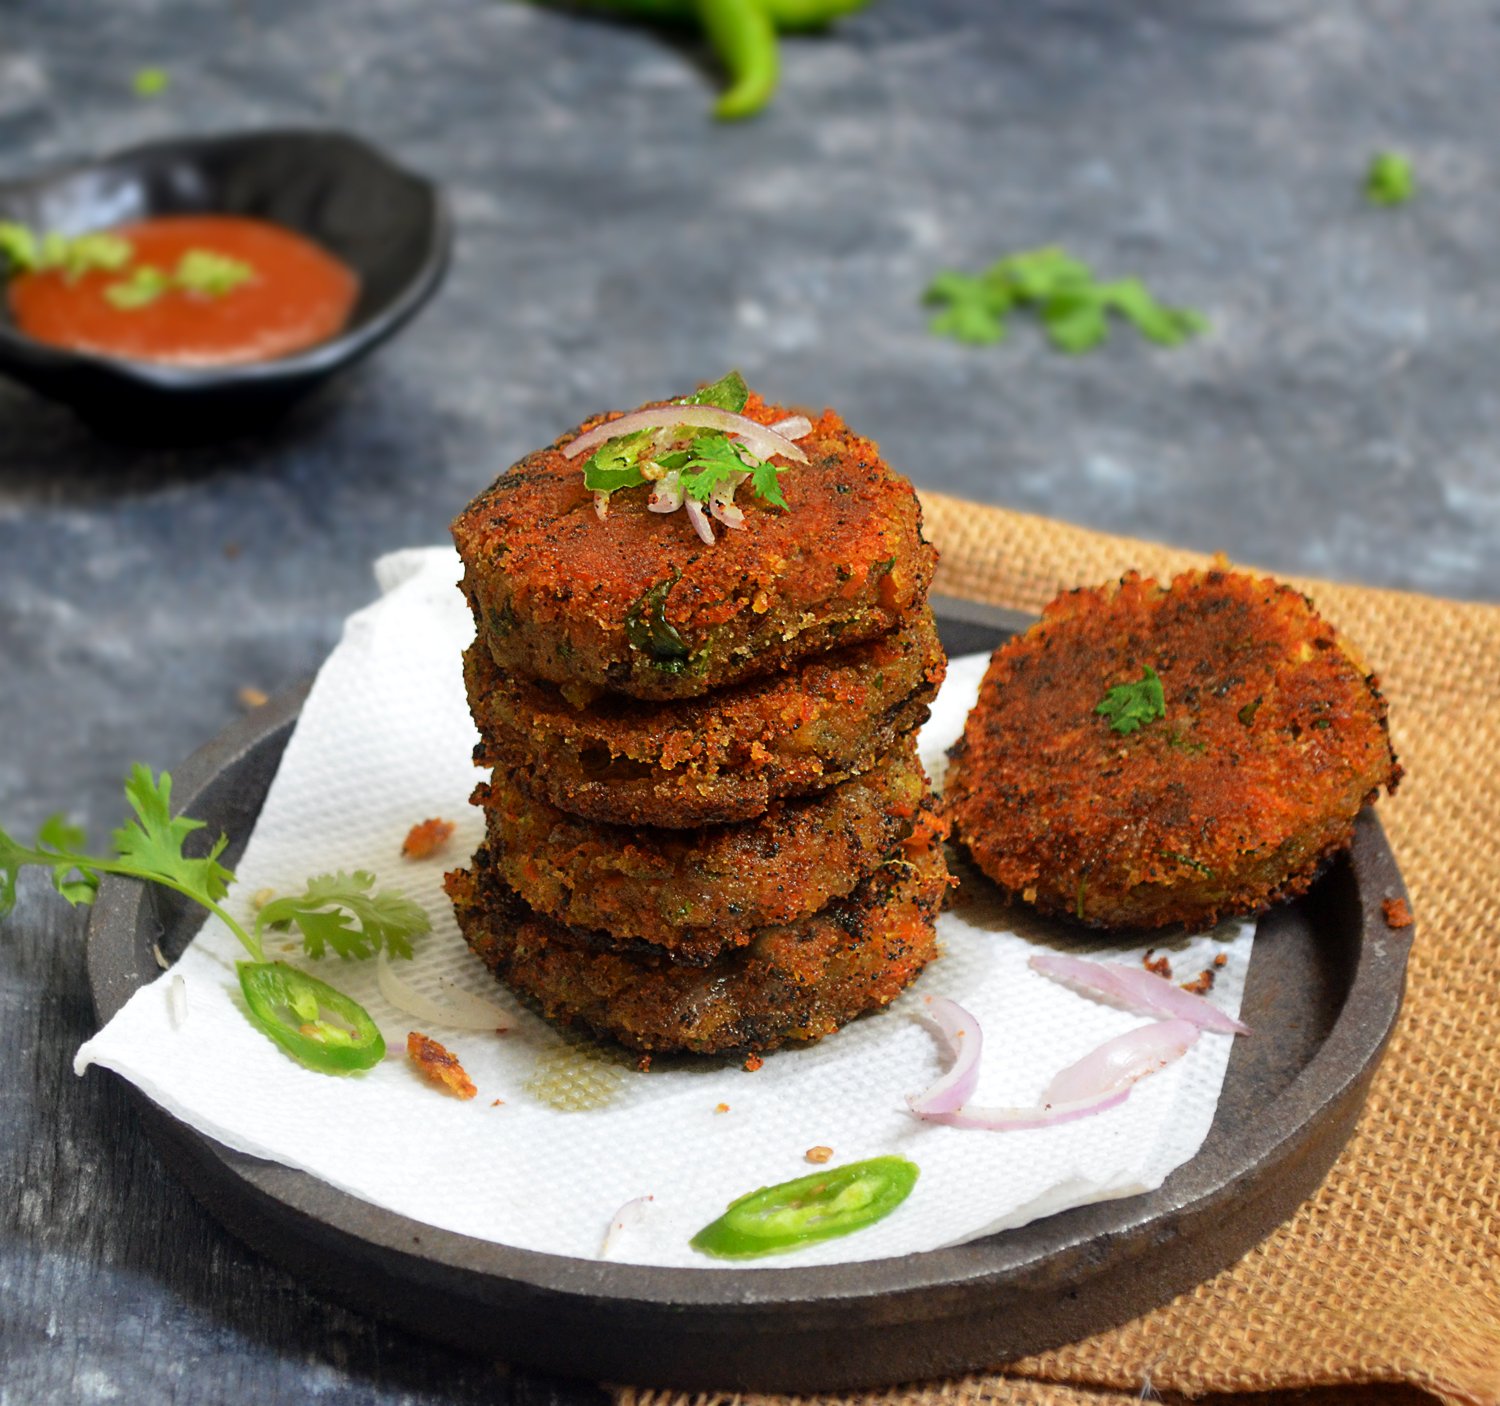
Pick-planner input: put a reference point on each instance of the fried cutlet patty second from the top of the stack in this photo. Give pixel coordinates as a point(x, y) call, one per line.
point(715, 760)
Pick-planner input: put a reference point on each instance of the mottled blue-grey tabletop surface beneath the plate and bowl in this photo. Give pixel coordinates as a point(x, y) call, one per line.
point(1340, 419)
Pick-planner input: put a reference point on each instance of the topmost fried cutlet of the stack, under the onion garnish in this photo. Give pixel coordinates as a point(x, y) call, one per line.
point(638, 604)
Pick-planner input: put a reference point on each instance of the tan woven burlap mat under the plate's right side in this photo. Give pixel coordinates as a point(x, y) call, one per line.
point(1387, 1284)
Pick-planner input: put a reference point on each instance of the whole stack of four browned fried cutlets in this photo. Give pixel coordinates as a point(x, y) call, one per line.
point(707, 825)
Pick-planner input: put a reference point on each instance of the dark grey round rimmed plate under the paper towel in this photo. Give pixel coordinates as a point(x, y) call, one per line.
point(1324, 991)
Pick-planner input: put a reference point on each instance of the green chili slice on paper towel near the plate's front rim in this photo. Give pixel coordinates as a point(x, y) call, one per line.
point(811, 1209)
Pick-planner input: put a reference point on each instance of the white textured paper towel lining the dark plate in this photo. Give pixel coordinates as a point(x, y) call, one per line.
point(385, 742)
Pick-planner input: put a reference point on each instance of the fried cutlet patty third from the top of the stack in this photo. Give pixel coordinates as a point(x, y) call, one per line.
point(697, 892)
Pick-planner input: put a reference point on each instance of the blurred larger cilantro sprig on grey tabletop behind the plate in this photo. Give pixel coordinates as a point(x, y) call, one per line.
point(1075, 308)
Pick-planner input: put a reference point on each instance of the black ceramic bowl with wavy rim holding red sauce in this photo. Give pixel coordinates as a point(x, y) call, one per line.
point(385, 223)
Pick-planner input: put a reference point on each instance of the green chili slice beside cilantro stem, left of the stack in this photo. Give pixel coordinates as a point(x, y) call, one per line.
point(314, 1023)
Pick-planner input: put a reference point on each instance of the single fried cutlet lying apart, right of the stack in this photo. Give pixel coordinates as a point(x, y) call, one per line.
point(1273, 739)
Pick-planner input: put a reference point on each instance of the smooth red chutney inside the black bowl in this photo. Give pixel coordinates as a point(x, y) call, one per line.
point(299, 296)
